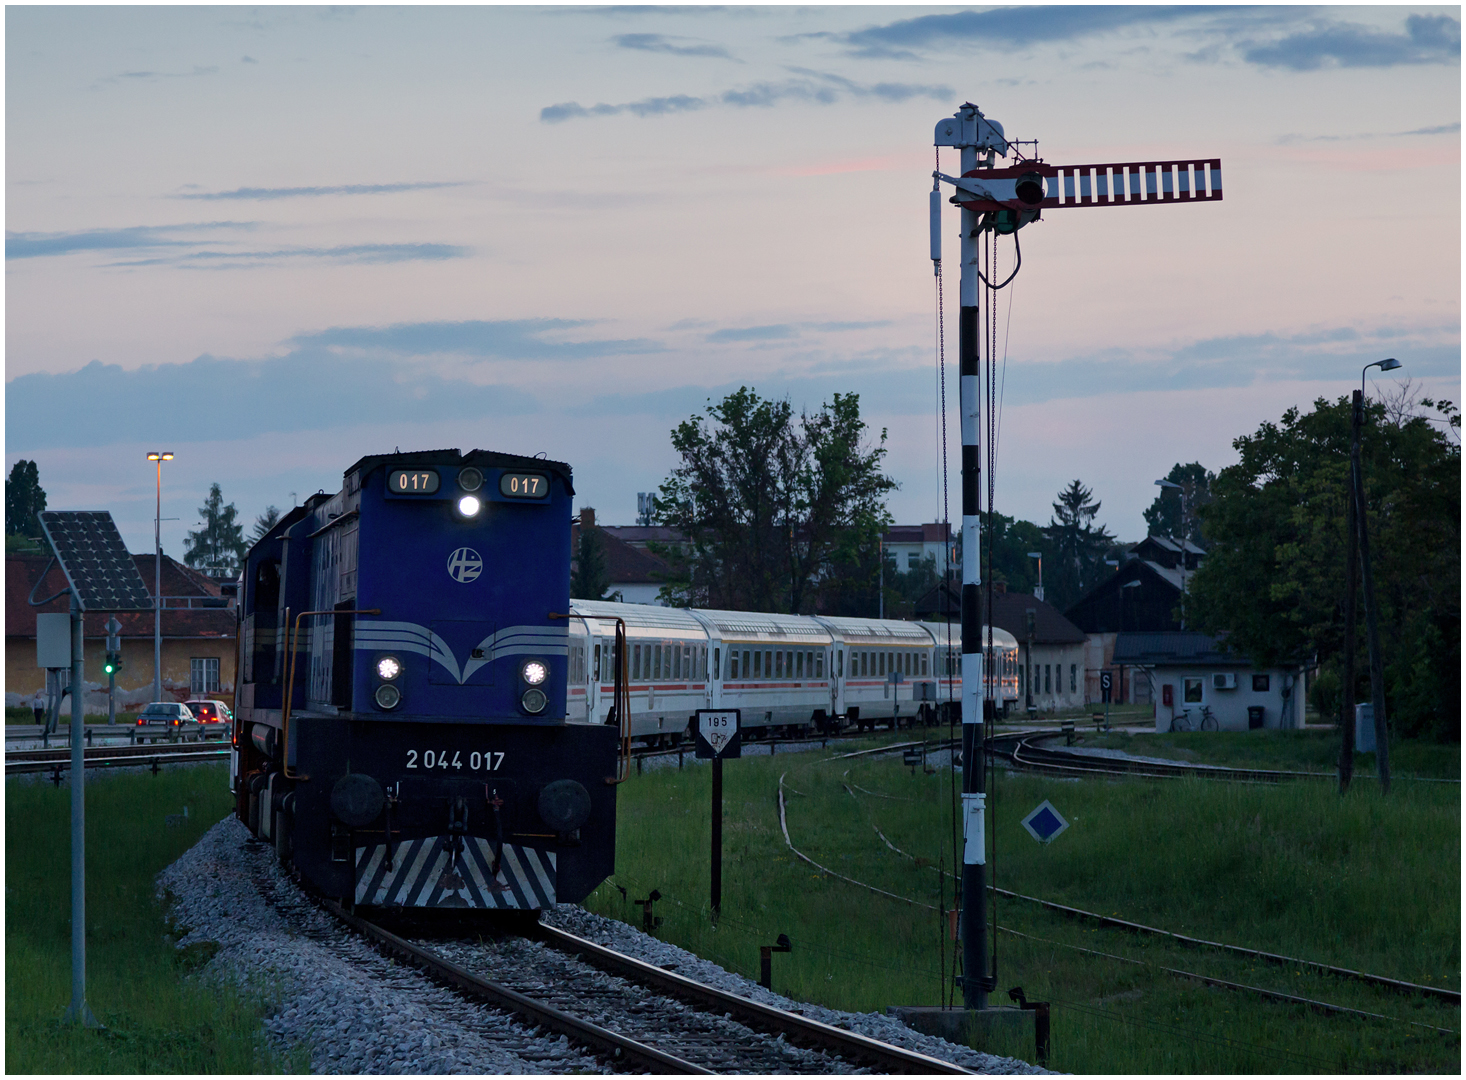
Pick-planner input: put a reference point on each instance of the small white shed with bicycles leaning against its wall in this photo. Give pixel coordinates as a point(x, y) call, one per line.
point(1193, 672)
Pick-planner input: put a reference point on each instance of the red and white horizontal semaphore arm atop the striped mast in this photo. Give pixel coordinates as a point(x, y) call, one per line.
point(1124, 184)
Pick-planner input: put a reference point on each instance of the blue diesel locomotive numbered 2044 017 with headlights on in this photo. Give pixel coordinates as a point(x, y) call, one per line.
point(401, 731)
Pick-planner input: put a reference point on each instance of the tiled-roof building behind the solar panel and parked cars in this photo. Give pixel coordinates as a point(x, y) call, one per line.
point(199, 637)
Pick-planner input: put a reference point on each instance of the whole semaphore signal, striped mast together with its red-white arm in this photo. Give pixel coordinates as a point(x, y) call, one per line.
point(999, 201)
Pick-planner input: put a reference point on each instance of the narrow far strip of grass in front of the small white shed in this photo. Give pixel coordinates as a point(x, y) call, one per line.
point(1292, 751)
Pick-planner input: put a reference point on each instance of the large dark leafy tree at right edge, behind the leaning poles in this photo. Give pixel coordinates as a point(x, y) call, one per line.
point(1275, 578)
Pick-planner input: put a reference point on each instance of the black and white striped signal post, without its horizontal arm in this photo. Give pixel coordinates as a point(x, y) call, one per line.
point(973, 136)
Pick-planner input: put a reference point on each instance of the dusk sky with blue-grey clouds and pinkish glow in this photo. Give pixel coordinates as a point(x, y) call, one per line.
point(276, 240)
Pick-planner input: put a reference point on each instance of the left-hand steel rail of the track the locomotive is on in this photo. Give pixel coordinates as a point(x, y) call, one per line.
point(618, 1047)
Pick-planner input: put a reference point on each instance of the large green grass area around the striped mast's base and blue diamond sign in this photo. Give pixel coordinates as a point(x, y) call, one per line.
point(1363, 883)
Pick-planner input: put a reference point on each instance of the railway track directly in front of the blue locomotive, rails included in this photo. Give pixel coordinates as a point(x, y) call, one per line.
point(640, 1018)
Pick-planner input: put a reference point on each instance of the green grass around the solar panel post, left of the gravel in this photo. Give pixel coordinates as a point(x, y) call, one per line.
point(158, 1019)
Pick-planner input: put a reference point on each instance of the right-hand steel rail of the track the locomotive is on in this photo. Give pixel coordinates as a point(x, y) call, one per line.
point(880, 1056)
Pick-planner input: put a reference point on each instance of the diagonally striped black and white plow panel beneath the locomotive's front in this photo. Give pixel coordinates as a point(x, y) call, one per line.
point(429, 874)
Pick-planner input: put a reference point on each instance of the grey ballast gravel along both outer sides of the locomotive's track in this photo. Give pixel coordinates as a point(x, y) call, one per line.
point(353, 1010)
